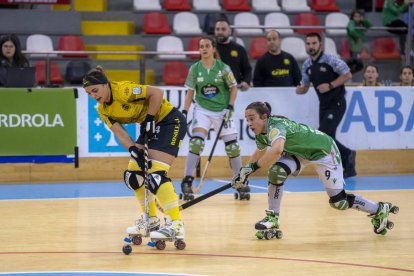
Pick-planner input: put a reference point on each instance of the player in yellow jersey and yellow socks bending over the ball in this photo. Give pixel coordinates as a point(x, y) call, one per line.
point(164, 128)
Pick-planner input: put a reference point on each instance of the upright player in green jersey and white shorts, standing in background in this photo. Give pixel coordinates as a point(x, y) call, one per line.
point(213, 86)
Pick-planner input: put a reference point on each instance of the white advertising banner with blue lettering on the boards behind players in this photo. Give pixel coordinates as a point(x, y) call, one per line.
point(376, 118)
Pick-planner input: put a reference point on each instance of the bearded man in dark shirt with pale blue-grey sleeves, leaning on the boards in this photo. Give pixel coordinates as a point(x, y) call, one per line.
point(328, 75)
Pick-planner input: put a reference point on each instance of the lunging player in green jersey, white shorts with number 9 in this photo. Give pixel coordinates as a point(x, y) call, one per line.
point(284, 147)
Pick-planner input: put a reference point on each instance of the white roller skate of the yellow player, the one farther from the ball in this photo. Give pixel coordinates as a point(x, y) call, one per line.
point(173, 231)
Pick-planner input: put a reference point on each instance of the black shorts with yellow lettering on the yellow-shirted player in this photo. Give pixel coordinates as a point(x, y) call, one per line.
point(169, 133)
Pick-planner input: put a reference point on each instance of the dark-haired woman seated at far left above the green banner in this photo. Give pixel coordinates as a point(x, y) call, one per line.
point(11, 53)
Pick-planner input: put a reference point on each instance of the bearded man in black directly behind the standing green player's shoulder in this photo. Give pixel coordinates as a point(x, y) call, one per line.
point(233, 54)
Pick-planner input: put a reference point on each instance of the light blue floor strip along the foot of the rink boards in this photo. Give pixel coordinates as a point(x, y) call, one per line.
point(118, 189)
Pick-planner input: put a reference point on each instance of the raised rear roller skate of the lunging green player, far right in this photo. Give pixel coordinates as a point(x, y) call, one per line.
point(380, 219)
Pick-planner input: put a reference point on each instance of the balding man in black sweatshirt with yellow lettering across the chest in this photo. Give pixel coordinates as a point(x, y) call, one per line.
point(276, 68)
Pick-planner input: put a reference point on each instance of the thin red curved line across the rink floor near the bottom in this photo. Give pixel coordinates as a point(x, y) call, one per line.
point(225, 256)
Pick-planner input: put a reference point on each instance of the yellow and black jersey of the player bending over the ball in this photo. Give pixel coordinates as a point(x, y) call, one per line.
point(128, 104)
